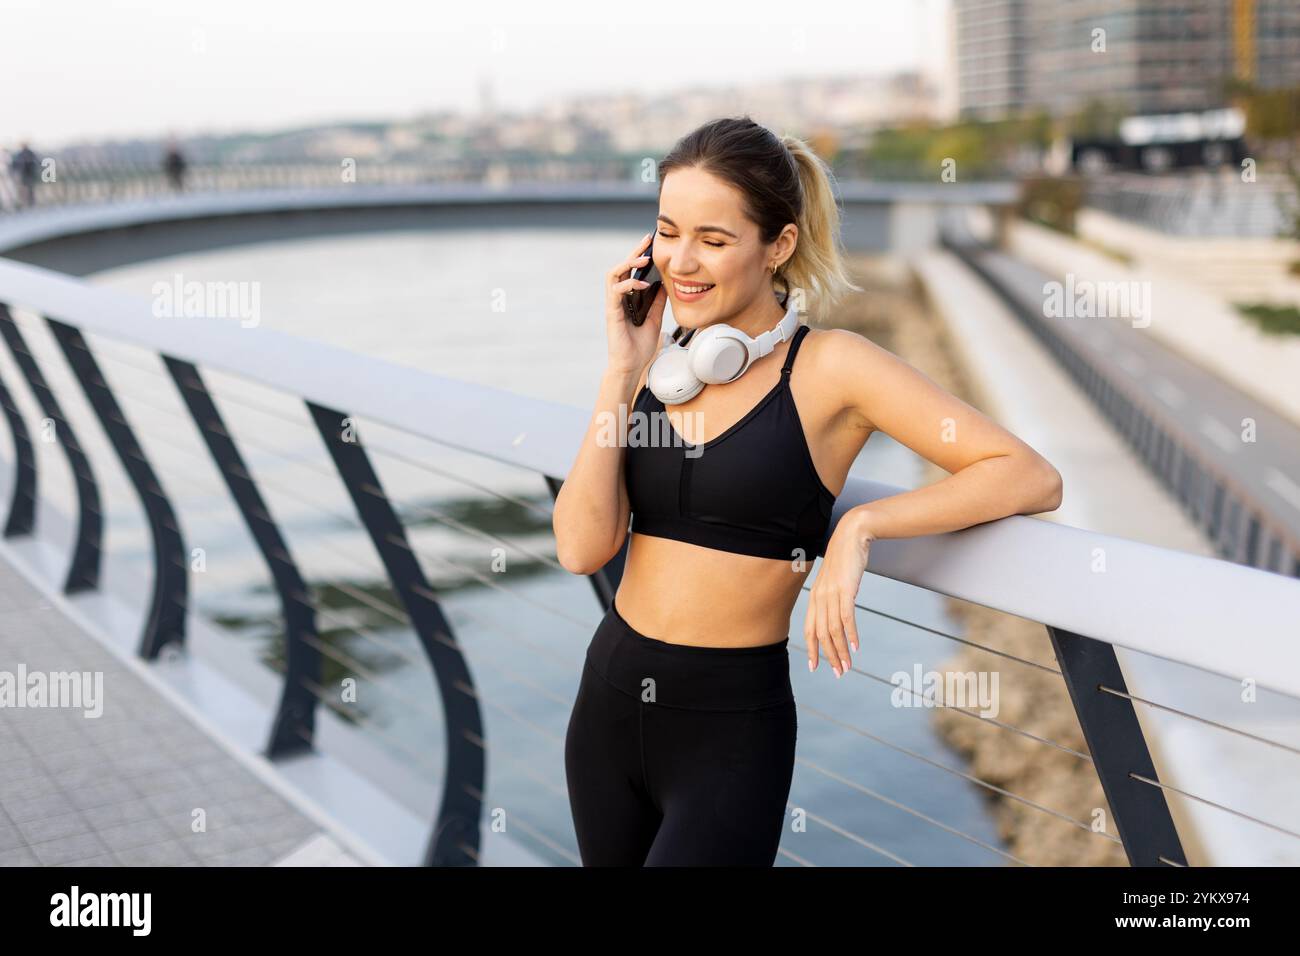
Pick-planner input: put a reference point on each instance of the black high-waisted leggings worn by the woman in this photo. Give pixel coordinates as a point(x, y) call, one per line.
point(679, 755)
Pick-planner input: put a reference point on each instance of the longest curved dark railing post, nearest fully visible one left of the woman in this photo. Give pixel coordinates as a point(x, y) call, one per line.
point(456, 836)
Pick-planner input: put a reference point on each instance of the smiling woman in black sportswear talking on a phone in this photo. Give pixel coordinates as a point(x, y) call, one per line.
point(681, 747)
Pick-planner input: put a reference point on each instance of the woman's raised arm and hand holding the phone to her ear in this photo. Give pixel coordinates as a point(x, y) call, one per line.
point(592, 511)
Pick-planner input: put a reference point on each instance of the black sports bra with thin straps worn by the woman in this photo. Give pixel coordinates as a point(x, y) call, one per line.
point(751, 491)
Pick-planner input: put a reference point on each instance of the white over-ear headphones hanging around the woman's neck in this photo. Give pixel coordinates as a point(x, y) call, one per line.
point(716, 356)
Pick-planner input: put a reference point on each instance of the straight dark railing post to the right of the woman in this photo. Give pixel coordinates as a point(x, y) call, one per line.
point(1119, 750)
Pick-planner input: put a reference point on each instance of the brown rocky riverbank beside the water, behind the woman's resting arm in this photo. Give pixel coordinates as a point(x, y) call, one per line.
point(894, 313)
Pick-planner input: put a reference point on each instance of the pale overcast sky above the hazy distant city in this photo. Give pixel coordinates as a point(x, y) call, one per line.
point(97, 70)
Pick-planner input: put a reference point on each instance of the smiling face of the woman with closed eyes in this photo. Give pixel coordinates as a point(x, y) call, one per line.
point(704, 240)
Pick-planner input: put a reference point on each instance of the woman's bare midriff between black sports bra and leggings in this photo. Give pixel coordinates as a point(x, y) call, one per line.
point(684, 594)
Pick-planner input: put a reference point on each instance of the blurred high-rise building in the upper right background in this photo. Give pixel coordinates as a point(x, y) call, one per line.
point(1143, 57)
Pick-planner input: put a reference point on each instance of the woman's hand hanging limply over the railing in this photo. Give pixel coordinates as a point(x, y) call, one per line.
point(830, 625)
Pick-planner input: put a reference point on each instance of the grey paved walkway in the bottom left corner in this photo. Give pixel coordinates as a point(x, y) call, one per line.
point(138, 785)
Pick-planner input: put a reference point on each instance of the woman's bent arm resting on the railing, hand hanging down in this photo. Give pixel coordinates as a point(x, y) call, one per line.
point(993, 475)
